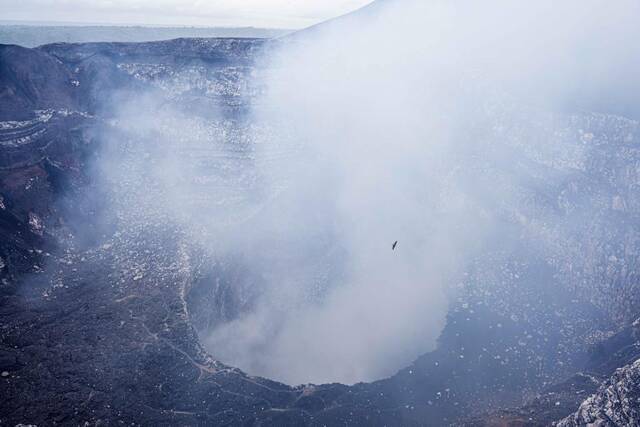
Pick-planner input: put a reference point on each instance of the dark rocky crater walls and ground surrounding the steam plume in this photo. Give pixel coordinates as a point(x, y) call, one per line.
point(103, 306)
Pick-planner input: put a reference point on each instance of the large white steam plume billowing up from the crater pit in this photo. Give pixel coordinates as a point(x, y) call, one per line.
point(374, 128)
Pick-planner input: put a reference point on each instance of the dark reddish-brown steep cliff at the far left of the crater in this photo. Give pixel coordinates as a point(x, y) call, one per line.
point(42, 146)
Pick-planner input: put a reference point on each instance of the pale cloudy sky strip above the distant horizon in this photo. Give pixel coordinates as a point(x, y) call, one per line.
point(228, 13)
